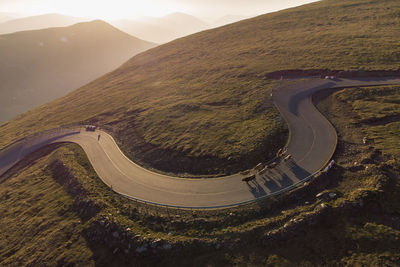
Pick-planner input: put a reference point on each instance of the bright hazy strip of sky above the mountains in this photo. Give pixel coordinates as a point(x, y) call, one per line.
point(114, 9)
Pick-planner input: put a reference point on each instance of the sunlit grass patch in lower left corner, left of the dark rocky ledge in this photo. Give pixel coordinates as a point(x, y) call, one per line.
point(38, 225)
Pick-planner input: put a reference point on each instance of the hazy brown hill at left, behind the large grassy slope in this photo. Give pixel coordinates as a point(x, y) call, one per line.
point(39, 66)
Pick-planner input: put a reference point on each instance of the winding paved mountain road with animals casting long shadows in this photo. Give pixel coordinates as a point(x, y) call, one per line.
point(311, 143)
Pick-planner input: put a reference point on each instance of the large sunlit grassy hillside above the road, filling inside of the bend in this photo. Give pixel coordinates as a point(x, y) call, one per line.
point(203, 100)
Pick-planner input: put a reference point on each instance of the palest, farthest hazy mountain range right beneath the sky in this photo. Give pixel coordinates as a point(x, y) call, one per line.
point(153, 29)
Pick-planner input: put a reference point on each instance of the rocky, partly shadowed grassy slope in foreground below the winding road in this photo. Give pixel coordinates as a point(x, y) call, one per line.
point(57, 211)
